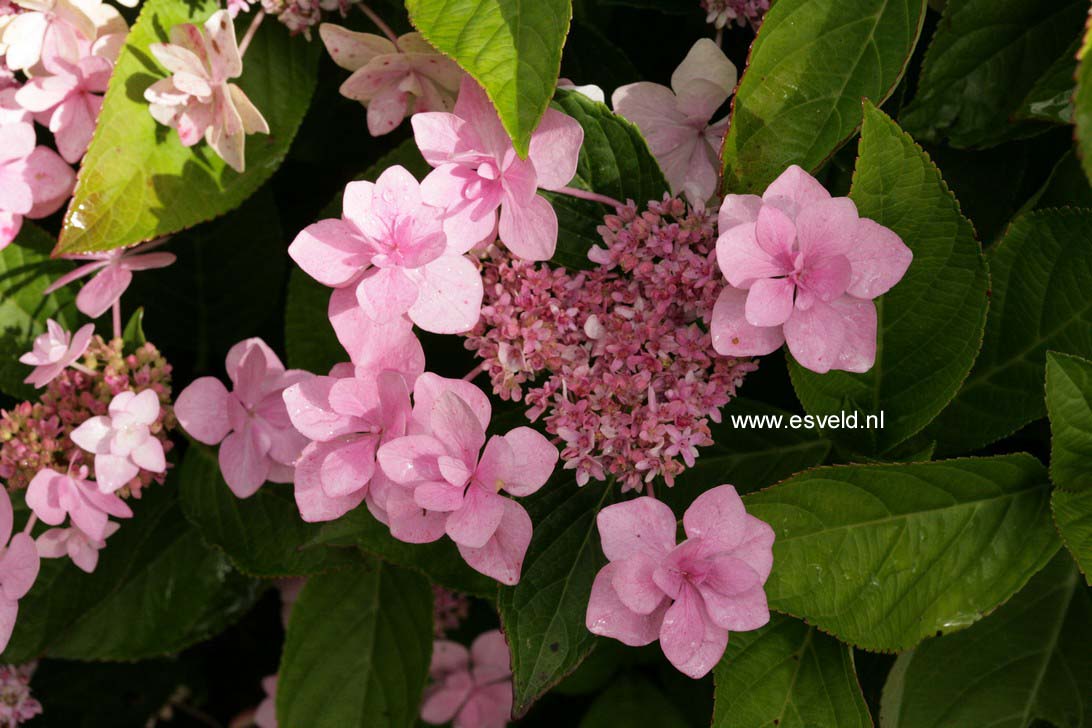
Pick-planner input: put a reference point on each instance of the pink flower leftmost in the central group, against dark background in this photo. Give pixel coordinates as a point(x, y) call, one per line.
point(252, 422)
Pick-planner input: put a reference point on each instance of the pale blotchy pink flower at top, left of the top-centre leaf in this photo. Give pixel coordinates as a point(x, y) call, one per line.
point(393, 81)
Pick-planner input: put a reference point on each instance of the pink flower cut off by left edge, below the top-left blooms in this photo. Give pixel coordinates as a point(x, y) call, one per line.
point(34, 181)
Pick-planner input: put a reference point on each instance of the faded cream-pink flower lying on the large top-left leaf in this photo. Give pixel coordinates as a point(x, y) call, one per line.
point(197, 100)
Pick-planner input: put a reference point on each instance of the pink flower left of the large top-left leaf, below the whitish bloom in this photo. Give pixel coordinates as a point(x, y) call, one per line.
point(68, 99)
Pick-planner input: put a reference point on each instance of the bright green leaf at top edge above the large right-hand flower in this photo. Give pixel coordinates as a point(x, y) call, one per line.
point(813, 62)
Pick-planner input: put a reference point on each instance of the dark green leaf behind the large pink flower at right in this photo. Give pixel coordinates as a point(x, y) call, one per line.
point(931, 325)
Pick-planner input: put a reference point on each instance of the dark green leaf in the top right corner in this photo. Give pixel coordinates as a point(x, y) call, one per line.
point(984, 59)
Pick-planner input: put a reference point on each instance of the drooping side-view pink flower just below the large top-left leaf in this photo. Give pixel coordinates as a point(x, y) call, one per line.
point(114, 272)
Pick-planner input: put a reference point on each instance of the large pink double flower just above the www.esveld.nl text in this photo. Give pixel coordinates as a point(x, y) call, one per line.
point(804, 270)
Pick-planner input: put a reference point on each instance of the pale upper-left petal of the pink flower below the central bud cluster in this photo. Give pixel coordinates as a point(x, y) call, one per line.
point(643, 526)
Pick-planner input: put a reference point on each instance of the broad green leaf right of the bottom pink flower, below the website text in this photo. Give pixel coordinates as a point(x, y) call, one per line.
point(884, 556)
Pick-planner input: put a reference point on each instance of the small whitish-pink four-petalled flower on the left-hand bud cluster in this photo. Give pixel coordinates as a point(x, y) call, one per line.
point(123, 441)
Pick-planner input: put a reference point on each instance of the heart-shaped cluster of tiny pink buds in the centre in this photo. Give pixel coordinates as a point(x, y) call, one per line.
point(618, 361)
